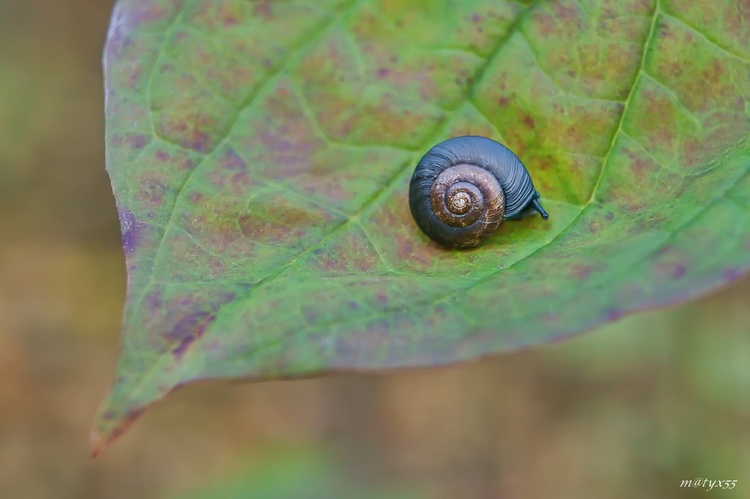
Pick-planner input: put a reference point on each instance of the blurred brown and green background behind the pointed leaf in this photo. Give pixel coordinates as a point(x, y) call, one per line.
point(626, 411)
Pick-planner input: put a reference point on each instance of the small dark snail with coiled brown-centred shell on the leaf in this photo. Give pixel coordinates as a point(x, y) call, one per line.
point(464, 187)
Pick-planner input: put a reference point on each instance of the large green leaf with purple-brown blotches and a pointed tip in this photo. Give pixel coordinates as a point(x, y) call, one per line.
point(260, 154)
